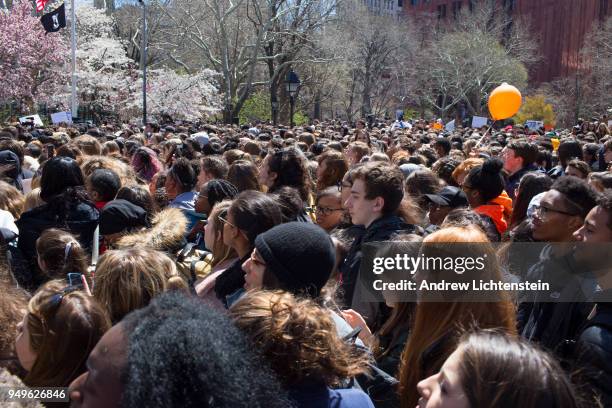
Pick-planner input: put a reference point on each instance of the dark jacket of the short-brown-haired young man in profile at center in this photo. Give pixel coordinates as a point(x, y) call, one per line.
point(380, 230)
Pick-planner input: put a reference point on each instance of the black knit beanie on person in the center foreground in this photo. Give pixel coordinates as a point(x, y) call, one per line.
point(300, 255)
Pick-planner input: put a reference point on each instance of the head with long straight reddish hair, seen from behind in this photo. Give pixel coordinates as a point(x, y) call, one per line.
point(436, 319)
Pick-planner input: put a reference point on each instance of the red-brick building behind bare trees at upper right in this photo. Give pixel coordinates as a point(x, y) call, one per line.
point(560, 26)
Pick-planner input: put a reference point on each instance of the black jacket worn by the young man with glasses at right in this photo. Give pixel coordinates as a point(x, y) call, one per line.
point(542, 320)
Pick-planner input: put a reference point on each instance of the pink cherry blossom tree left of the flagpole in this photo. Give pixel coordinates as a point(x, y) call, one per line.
point(32, 63)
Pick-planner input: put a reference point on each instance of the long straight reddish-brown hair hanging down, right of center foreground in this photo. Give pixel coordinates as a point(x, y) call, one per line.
point(443, 321)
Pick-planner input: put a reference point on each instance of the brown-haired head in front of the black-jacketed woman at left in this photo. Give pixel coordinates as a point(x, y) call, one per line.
point(60, 253)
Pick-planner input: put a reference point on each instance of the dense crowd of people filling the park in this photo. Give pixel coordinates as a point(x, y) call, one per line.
point(204, 265)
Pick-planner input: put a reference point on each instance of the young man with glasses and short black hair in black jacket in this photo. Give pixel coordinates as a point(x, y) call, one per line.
point(561, 212)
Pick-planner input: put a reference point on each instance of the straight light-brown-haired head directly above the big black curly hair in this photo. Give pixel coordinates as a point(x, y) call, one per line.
point(140, 273)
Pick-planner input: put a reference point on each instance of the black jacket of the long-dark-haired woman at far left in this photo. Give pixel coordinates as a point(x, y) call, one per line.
point(81, 220)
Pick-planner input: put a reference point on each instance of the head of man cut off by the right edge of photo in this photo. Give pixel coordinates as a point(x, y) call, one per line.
point(597, 225)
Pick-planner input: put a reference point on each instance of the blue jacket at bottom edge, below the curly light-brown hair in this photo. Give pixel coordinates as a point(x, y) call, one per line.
point(317, 395)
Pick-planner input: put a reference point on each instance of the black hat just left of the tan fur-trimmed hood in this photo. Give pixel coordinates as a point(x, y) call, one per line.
point(121, 215)
